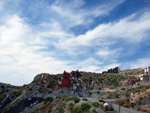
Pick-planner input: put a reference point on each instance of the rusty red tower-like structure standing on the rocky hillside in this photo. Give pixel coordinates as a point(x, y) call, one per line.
point(66, 79)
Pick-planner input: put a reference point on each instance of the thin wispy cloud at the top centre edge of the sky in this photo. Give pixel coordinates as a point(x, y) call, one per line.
point(72, 12)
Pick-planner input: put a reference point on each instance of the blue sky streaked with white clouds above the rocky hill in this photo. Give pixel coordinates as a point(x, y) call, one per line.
point(50, 36)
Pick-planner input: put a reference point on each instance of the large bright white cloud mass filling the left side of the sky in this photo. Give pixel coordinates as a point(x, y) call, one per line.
point(20, 55)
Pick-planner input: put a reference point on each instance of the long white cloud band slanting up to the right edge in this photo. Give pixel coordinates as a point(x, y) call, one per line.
point(130, 31)
